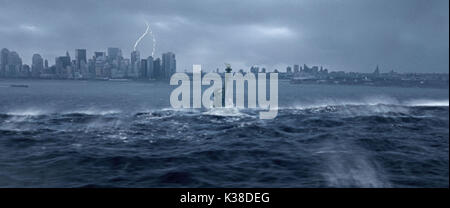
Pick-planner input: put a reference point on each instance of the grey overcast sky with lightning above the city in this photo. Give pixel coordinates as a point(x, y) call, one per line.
point(351, 35)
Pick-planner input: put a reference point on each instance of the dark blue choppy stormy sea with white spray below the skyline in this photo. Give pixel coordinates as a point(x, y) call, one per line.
point(125, 134)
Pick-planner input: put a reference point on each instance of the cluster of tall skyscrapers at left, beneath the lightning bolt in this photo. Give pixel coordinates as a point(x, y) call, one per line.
point(102, 65)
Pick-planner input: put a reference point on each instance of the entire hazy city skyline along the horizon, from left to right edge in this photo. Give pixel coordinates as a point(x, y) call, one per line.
point(113, 65)
